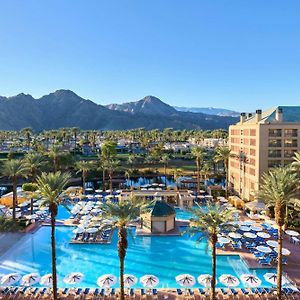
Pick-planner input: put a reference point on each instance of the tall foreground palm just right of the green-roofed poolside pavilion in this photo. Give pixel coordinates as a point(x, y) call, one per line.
point(209, 223)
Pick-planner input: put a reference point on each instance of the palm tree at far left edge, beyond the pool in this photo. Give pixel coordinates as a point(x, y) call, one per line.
point(14, 169)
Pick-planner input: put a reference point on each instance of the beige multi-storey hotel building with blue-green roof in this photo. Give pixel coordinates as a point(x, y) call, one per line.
point(259, 142)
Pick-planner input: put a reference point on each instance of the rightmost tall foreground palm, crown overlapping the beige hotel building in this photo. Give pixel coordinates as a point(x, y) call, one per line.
point(279, 187)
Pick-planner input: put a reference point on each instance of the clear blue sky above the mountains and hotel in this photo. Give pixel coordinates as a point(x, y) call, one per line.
point(234, 54)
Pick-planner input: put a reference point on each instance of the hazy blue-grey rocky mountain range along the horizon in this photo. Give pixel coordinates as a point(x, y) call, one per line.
point(64, 108)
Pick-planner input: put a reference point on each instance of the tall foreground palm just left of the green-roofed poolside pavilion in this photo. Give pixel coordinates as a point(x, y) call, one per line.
point(121, 214)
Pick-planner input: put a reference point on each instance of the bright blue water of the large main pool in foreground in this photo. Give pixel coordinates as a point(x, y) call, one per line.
point(164, 257)
